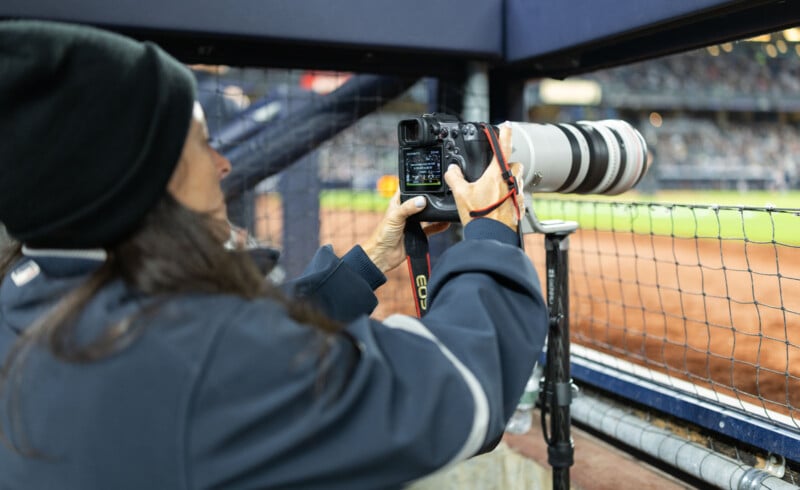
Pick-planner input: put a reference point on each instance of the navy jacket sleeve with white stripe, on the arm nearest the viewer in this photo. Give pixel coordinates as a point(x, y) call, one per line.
point(381, 404)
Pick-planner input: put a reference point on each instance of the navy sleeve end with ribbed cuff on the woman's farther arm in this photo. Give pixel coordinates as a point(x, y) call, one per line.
point(341, 288)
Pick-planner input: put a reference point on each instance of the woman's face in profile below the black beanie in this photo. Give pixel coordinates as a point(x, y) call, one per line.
point(196, 180)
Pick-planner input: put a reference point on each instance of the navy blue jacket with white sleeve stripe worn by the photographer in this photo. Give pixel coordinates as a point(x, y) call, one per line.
point(221, 392)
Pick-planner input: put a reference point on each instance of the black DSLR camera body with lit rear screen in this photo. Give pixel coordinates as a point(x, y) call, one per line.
point(427, 146)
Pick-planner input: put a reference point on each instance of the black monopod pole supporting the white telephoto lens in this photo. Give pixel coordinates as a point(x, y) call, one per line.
point(557, 392)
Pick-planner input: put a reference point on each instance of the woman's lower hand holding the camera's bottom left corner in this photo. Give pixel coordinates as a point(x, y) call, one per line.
point(385, 247)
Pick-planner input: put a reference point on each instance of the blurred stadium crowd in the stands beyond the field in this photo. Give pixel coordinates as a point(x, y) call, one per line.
point(722, 117)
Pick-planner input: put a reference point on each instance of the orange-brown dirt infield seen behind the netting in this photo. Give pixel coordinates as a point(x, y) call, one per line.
point(722, 314)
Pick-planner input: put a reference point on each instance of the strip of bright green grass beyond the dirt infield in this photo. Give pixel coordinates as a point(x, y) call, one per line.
point(675, 213)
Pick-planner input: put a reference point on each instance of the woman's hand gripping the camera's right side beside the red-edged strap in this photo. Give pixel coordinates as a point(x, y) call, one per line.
point(487, 190)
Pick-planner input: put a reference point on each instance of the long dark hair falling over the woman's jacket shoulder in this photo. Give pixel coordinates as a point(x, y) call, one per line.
point(175, 251)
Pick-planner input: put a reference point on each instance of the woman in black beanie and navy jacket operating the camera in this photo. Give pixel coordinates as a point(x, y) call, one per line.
point(139, 353)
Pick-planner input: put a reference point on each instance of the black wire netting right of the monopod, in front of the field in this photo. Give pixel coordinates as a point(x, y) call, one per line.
point(702, 293)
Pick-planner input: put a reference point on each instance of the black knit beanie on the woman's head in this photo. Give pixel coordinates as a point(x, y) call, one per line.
point(92, 125)
